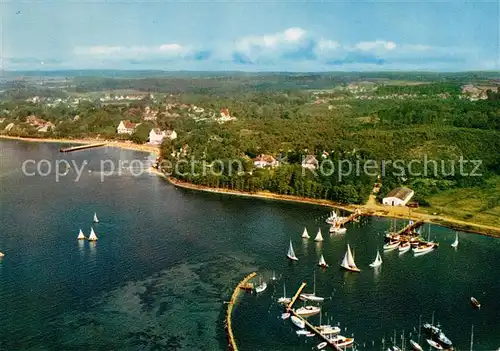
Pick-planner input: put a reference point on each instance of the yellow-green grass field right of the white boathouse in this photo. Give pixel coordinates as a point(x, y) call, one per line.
point(479, 205)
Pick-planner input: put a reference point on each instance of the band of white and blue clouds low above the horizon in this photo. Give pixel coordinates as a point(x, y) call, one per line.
point(291, 49)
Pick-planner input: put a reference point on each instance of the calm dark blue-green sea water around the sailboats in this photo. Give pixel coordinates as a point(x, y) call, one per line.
point(168, 258)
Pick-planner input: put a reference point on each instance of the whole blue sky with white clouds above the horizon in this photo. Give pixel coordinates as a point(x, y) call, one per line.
point(300, 36)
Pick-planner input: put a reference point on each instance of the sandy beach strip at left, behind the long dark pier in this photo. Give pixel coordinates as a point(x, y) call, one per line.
point(109, 143)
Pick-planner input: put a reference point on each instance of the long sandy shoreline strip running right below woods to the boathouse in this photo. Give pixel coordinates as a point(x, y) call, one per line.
point(367, 210)
